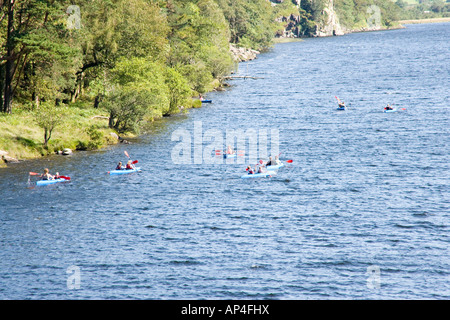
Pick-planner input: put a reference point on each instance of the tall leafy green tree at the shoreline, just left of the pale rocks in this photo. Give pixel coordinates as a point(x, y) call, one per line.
point(199, 42)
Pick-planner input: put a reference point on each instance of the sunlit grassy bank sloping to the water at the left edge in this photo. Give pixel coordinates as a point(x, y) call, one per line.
point(81, 128)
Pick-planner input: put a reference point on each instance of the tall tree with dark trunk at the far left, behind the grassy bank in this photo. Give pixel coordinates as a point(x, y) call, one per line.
point(35, 34)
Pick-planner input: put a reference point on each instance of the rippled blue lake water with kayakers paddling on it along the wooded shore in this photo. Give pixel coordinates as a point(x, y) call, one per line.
point(362, 212)
